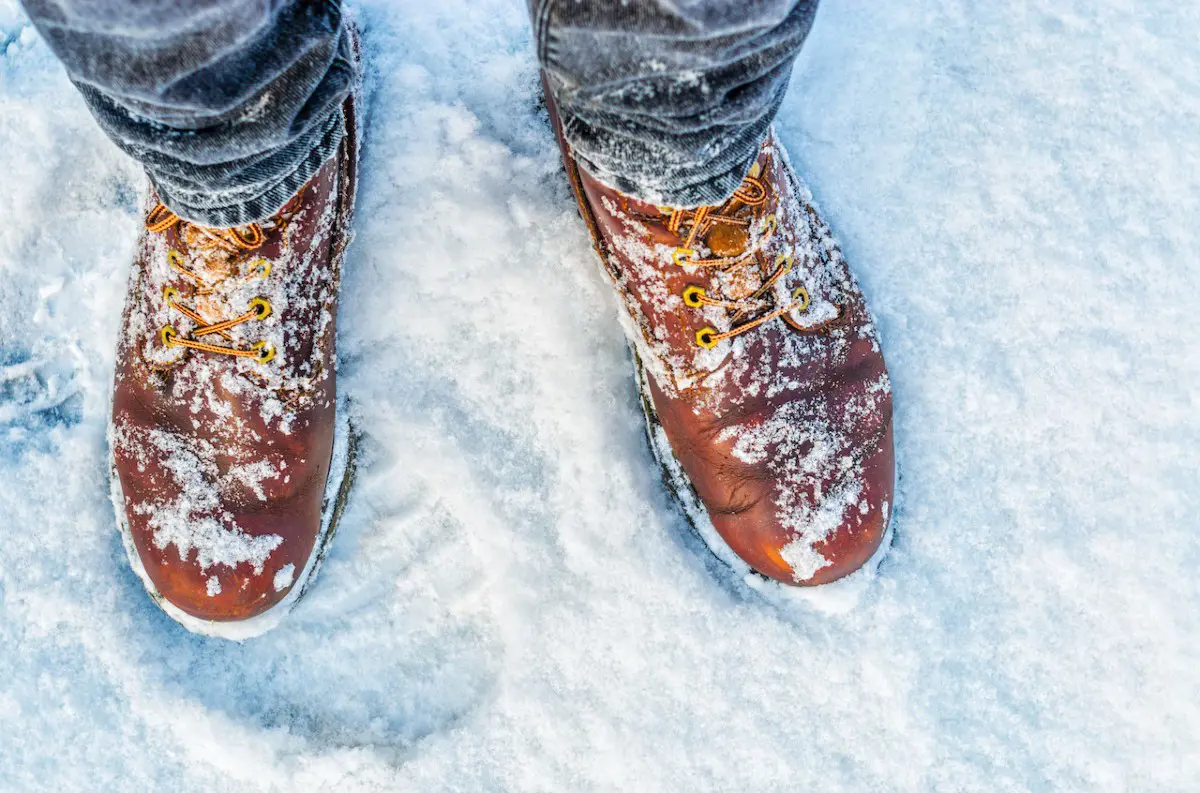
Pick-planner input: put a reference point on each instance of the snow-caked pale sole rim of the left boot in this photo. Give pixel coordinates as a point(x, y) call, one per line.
point(338, 488)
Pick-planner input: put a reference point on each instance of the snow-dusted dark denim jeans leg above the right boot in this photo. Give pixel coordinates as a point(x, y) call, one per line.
point(669, 101)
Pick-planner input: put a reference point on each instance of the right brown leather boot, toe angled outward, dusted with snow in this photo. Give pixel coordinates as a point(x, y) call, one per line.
point(767, 400)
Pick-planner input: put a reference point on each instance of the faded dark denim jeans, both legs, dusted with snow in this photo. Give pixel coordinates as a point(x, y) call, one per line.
point(231, 106)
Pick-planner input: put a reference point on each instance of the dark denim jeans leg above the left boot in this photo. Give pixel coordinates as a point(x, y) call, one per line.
point(230, 105)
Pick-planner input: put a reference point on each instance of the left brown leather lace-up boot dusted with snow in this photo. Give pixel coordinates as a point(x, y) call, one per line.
point(231, 456)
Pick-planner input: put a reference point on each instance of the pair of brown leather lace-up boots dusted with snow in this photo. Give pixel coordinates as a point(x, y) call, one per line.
point(767, 400)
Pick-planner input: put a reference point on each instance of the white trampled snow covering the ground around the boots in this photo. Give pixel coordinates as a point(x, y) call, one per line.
point(514, 604)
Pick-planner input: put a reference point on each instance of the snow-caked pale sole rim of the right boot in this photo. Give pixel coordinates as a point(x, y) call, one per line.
point(837, 597)
